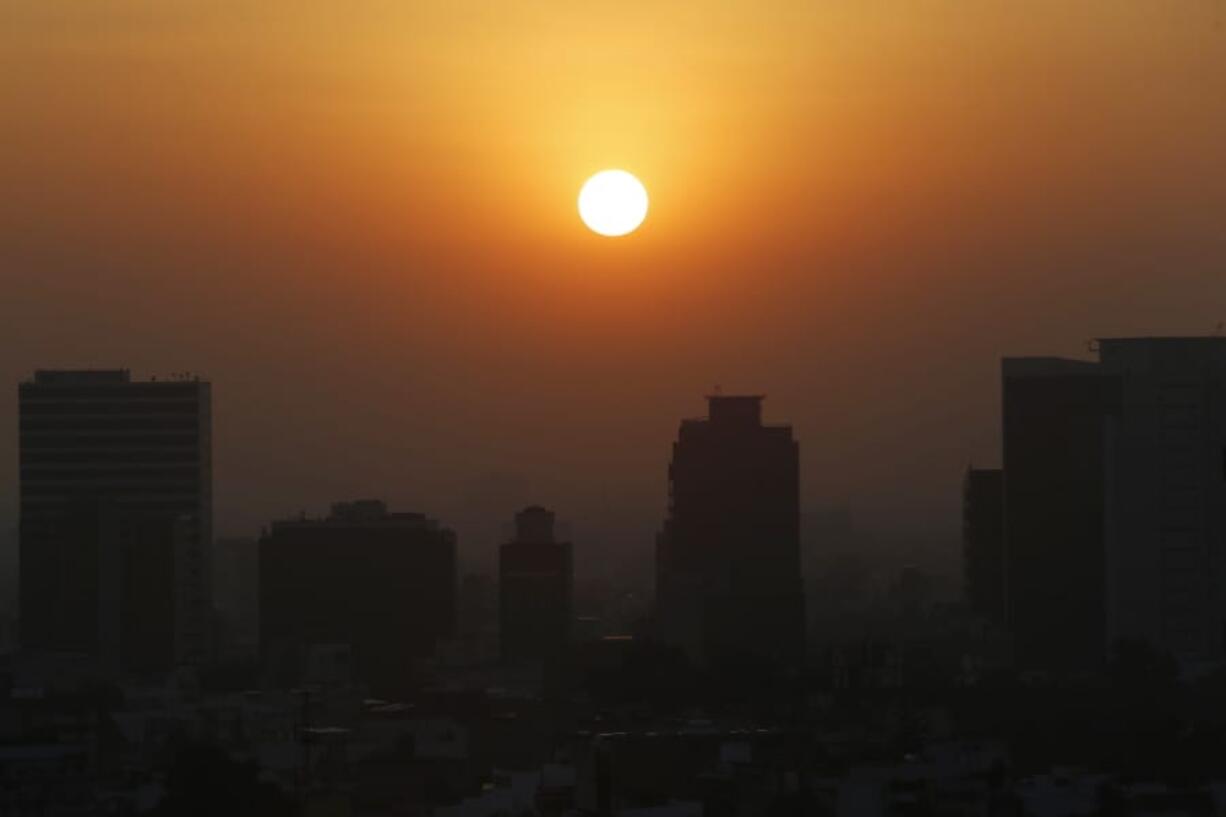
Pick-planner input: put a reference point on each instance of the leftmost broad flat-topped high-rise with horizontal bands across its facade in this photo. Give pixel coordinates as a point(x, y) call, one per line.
point(116, 517)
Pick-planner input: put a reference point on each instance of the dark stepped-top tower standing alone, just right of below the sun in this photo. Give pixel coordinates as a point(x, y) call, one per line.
point(729, 564)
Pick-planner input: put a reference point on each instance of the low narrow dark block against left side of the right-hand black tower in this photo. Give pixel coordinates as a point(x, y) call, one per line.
point(984, 543)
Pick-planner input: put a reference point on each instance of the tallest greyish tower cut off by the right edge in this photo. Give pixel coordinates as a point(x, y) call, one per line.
point(1167, 495)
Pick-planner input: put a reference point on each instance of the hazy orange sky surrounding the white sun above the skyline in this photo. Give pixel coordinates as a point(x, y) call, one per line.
point(359, 221)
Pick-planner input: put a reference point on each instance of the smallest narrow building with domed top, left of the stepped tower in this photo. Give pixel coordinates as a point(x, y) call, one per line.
point(536, 588)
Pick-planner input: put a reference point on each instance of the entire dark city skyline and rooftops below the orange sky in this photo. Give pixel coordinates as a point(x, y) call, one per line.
point(348, 664)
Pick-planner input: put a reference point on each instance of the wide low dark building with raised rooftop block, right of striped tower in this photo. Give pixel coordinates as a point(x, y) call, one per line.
point(382, 583)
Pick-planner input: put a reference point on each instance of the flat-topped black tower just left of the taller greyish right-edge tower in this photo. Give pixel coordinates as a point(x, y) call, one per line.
point(1055, 497)
